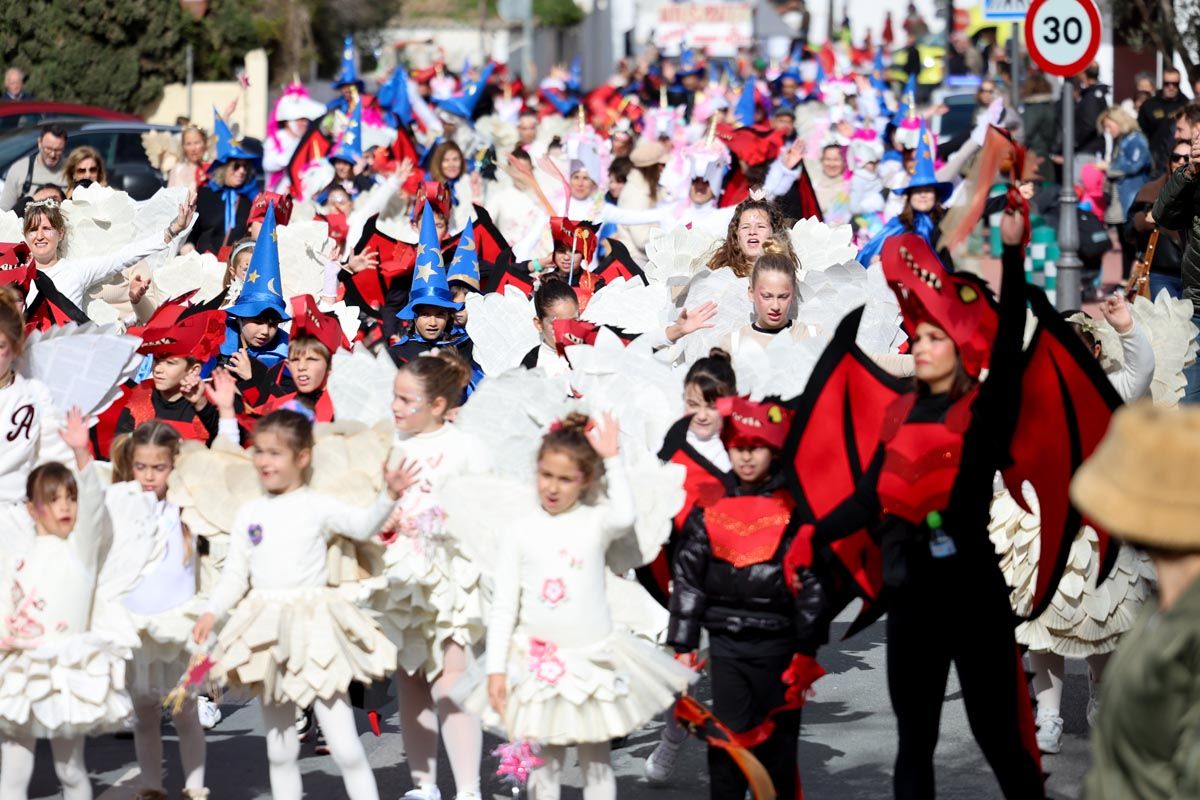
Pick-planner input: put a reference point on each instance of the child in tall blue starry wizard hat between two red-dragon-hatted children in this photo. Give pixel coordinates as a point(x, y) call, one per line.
point(254, 340)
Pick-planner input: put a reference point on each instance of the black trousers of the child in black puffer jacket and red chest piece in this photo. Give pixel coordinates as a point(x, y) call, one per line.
point(745, 690)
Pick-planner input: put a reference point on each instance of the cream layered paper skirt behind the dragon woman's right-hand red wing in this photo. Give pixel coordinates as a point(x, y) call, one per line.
point(1083, 619)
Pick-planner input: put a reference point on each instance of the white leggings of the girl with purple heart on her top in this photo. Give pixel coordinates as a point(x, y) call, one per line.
point(337, 721)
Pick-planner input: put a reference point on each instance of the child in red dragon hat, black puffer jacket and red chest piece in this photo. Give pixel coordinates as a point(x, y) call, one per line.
point(730, 580)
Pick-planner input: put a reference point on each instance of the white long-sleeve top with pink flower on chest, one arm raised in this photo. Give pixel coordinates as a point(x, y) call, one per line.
point(550, 584)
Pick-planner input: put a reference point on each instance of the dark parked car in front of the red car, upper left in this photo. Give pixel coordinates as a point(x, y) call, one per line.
point(118, 142)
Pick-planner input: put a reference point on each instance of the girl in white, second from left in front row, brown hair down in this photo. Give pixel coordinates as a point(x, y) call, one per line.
point(165, 607)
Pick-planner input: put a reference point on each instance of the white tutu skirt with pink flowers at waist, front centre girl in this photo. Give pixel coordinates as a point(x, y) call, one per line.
point(567, 696)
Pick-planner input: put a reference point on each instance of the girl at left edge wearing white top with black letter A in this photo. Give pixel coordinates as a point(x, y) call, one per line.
point(29, 425)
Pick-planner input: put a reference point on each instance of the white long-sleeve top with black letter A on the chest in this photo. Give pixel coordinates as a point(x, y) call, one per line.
point(29, 435)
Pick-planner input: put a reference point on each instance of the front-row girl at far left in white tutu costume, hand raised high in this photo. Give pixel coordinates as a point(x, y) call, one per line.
point(64, 648)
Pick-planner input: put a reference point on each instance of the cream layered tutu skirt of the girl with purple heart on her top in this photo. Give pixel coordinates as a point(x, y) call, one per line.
point(299, 646)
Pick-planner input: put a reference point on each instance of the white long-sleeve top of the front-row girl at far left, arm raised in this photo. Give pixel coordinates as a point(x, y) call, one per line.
point(52, 587)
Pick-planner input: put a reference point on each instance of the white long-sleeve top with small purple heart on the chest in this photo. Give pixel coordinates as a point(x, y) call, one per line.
point(280, 542)
